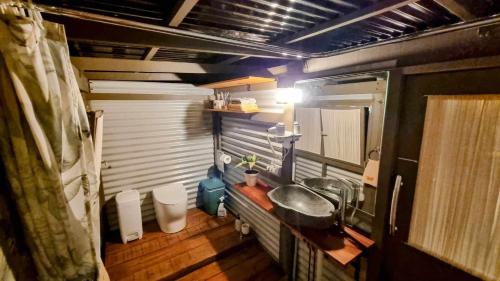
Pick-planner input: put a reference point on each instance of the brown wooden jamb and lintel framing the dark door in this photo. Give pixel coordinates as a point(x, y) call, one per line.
point(395, 91)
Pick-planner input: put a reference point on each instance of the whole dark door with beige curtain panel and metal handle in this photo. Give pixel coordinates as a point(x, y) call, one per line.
point(443, 222)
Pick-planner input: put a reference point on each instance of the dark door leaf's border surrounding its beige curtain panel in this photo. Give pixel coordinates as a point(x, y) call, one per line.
point(410, 134)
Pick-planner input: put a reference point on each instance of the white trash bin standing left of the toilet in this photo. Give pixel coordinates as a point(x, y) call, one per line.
point(129, 215)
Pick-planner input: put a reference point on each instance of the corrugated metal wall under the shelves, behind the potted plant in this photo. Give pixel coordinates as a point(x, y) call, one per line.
point(242, 135)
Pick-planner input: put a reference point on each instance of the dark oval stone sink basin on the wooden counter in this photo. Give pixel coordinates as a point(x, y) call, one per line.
point(299, 206)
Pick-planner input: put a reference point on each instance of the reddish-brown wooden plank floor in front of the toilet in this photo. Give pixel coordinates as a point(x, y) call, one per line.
point(207, 249)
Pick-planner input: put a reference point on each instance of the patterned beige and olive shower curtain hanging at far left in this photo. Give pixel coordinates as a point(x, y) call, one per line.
point(46, 150)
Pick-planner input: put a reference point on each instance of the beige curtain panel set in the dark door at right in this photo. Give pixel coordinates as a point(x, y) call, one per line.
point(456, 210)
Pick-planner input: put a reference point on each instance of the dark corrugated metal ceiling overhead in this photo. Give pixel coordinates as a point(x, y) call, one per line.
point(312, 26)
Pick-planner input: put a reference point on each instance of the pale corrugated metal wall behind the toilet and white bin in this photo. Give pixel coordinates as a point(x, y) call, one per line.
point(147, 144)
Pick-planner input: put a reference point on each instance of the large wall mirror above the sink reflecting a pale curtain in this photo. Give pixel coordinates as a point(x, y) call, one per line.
point(341, 121)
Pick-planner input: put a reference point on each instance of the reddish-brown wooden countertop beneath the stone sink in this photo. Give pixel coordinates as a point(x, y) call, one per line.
point(337, 246)
